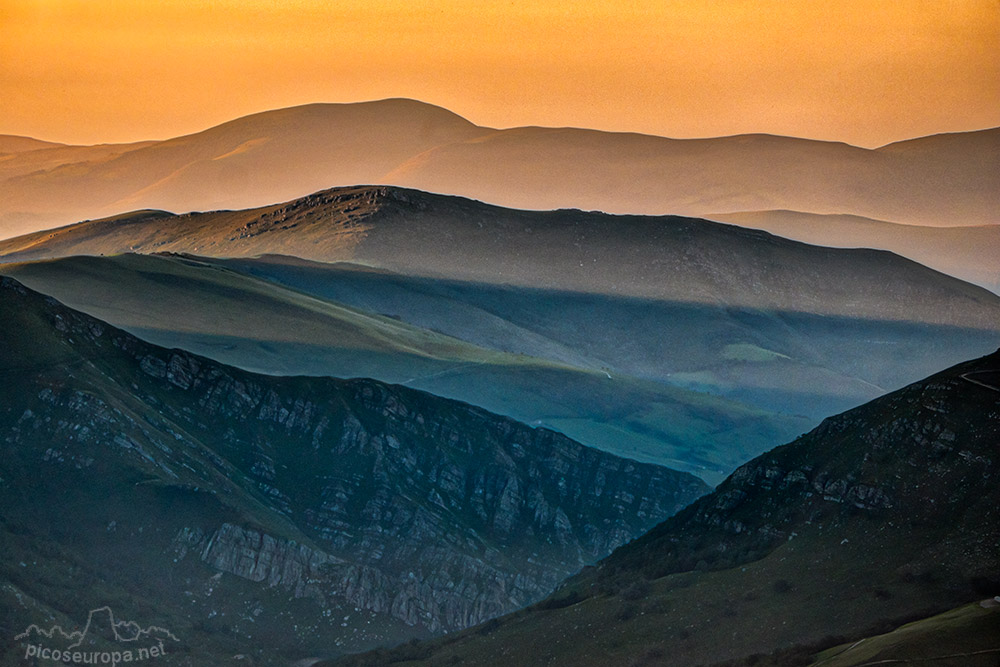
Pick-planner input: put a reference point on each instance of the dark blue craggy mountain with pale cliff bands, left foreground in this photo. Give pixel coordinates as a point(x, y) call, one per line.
point(337, 495)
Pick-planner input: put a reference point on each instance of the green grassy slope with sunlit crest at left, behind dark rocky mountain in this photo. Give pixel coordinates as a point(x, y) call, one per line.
point(167, 299)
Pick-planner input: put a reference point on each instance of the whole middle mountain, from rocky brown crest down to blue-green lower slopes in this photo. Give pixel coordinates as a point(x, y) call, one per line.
point(666, 330)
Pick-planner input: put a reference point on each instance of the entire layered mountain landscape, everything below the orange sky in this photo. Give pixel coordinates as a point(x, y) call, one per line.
point(374, 425)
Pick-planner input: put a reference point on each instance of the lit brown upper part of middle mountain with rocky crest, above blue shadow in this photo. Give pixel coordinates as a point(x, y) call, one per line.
point(425, 235)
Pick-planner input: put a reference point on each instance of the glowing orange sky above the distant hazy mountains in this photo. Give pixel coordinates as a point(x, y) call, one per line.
point(863, 71)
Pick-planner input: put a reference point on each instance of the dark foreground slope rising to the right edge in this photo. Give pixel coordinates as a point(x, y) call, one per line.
point(887, 511)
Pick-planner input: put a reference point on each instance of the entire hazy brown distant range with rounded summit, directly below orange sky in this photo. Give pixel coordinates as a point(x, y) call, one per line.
point(945, 180)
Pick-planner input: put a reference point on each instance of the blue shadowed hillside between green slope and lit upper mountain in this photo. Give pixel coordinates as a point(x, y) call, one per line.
point(792, 362)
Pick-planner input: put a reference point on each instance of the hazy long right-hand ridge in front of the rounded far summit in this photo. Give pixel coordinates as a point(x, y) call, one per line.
point(950, 180)
